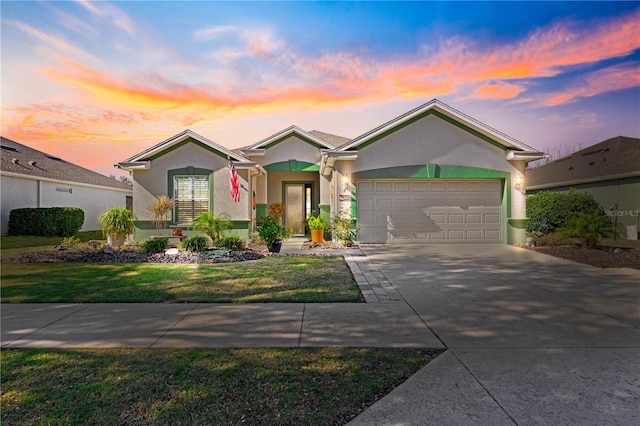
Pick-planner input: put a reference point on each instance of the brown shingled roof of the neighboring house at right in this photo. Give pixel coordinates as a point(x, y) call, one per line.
point(614, 158)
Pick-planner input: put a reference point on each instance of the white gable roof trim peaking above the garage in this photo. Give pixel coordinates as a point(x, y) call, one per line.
point(446, 113)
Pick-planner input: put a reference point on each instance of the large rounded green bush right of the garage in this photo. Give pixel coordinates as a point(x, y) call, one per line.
point(547, 210)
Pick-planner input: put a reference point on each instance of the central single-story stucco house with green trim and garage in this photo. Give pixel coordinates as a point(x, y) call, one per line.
point(432, 174)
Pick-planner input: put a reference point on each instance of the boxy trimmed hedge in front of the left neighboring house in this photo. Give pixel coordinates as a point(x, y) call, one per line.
point(46, 221)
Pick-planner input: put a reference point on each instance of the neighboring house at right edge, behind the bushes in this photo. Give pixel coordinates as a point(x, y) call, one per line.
point(609, 171)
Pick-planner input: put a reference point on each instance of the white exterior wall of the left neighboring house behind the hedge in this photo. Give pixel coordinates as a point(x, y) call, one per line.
point(24, 192)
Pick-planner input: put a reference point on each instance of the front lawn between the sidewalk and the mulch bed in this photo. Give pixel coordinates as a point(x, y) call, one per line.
point(272, 279)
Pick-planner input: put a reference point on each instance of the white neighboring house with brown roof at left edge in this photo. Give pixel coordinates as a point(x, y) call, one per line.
point(31, 178)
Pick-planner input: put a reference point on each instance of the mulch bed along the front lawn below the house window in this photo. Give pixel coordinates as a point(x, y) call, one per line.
point(84, 255)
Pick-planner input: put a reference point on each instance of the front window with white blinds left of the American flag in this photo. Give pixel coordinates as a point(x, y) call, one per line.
point(191, 197)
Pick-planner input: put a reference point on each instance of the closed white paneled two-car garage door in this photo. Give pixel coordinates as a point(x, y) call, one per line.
point(433, 210)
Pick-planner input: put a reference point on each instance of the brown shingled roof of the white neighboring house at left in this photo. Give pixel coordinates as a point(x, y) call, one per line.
point(18, 158)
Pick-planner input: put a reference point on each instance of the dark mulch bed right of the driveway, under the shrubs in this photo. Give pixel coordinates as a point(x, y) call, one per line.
point(594, 257)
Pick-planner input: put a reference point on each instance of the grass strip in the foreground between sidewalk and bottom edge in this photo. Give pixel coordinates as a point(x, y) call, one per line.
point(272, 386)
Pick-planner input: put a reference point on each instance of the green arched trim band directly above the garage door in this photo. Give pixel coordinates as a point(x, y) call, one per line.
point(431, 171)
